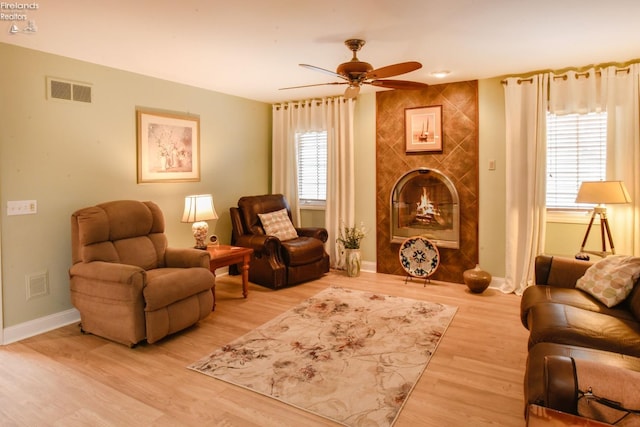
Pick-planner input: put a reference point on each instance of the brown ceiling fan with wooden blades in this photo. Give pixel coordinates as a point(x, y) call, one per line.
point(356, 73)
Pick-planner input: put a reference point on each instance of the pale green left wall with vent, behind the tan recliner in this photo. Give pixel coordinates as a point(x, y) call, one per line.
point(70, 155)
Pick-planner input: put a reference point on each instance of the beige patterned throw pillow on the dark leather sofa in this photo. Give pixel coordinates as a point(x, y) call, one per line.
point(611, 279)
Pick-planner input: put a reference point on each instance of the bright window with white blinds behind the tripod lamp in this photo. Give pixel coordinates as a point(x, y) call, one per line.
point(576, 152)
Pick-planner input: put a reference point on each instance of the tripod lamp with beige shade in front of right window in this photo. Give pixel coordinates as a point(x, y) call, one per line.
point(601, 193)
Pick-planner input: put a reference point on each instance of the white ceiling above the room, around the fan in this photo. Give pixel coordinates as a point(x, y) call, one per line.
point(251, 48)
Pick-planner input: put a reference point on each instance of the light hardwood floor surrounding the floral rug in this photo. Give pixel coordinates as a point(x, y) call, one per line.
point(65, 378)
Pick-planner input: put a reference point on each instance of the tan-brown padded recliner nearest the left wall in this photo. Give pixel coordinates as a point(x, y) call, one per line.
point(126, 283)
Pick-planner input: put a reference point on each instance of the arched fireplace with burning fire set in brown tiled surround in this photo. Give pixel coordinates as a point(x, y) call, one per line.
point(424, 202)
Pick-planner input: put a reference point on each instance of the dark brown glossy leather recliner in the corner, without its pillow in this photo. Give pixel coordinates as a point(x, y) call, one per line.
point(277, 263)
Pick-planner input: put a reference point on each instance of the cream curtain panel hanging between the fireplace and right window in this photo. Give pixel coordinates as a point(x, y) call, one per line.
point(526, 106)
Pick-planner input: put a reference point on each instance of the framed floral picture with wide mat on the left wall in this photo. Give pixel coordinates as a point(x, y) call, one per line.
point(168, 146)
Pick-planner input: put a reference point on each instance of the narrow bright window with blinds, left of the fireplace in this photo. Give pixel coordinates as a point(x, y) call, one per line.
point(312, 167)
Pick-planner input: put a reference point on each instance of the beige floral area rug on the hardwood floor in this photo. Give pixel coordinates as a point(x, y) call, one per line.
point(350, 356)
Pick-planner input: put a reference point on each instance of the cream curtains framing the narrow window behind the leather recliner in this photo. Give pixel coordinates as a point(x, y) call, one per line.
point(335, 115)
